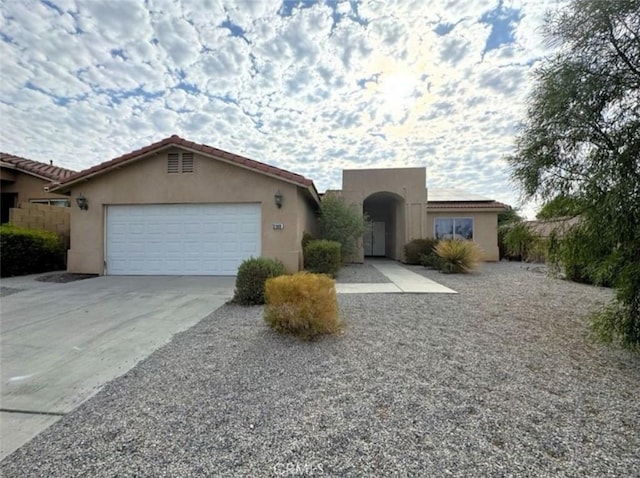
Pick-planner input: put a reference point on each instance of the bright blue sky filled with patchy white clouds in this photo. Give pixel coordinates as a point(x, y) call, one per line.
point(313, 86)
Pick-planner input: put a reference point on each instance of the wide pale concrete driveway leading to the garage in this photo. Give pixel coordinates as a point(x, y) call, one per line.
point(60, 343)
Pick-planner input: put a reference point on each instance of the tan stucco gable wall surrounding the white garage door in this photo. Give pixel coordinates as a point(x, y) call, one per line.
point(147, 182)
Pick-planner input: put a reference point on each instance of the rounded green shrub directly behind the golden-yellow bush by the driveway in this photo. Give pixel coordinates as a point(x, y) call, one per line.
point(252, 275)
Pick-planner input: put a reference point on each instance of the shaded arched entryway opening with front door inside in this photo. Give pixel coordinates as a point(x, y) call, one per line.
point(386, 236)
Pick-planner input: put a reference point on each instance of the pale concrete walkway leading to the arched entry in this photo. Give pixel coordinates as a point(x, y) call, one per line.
point(402, 281)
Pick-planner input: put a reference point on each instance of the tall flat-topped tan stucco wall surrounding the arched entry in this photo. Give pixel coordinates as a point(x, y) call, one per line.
point(408, 185)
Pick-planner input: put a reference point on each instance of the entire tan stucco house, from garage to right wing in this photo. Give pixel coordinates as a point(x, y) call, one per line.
point(183, 208)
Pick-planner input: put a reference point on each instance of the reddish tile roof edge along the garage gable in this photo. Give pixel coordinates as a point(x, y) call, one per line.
point(201, 148)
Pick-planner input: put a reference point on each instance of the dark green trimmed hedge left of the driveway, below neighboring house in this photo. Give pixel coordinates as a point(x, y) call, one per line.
point(29, 251)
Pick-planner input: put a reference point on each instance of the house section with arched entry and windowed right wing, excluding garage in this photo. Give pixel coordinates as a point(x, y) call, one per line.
point(402, 209)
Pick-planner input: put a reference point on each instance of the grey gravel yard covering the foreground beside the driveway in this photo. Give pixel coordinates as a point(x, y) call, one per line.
point(497, 380)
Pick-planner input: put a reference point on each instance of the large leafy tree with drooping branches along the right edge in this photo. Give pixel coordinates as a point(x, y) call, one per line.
point(581, 139)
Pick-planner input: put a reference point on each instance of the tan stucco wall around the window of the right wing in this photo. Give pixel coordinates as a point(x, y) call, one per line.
point(485, 229)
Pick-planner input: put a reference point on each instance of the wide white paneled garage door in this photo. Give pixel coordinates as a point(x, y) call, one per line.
point(181, 239)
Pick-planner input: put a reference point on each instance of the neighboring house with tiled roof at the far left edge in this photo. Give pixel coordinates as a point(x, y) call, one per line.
point(24, 181)
